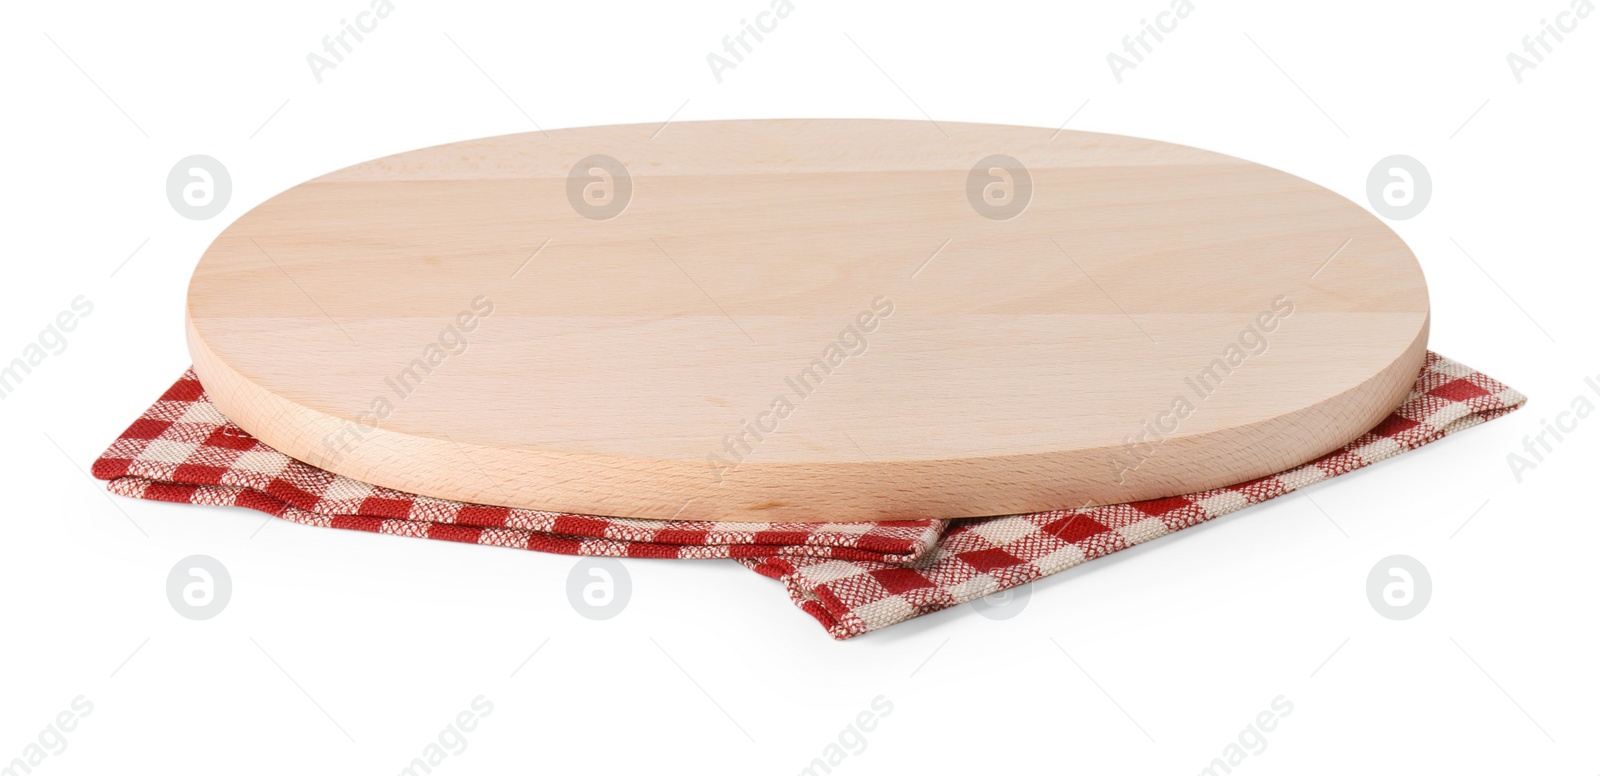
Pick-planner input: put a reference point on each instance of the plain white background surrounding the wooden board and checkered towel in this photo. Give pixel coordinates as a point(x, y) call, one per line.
point(350, 654)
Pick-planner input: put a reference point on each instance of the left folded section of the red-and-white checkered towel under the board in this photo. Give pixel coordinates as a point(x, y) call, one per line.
point(185, 450)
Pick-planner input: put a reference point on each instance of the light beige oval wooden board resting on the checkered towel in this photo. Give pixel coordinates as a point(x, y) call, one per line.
point(807, 321)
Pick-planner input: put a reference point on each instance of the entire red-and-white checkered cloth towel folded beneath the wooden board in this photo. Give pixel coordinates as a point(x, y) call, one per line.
point(850, 577)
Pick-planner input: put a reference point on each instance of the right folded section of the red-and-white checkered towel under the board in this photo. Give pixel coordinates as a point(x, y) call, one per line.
point(982, 558)
